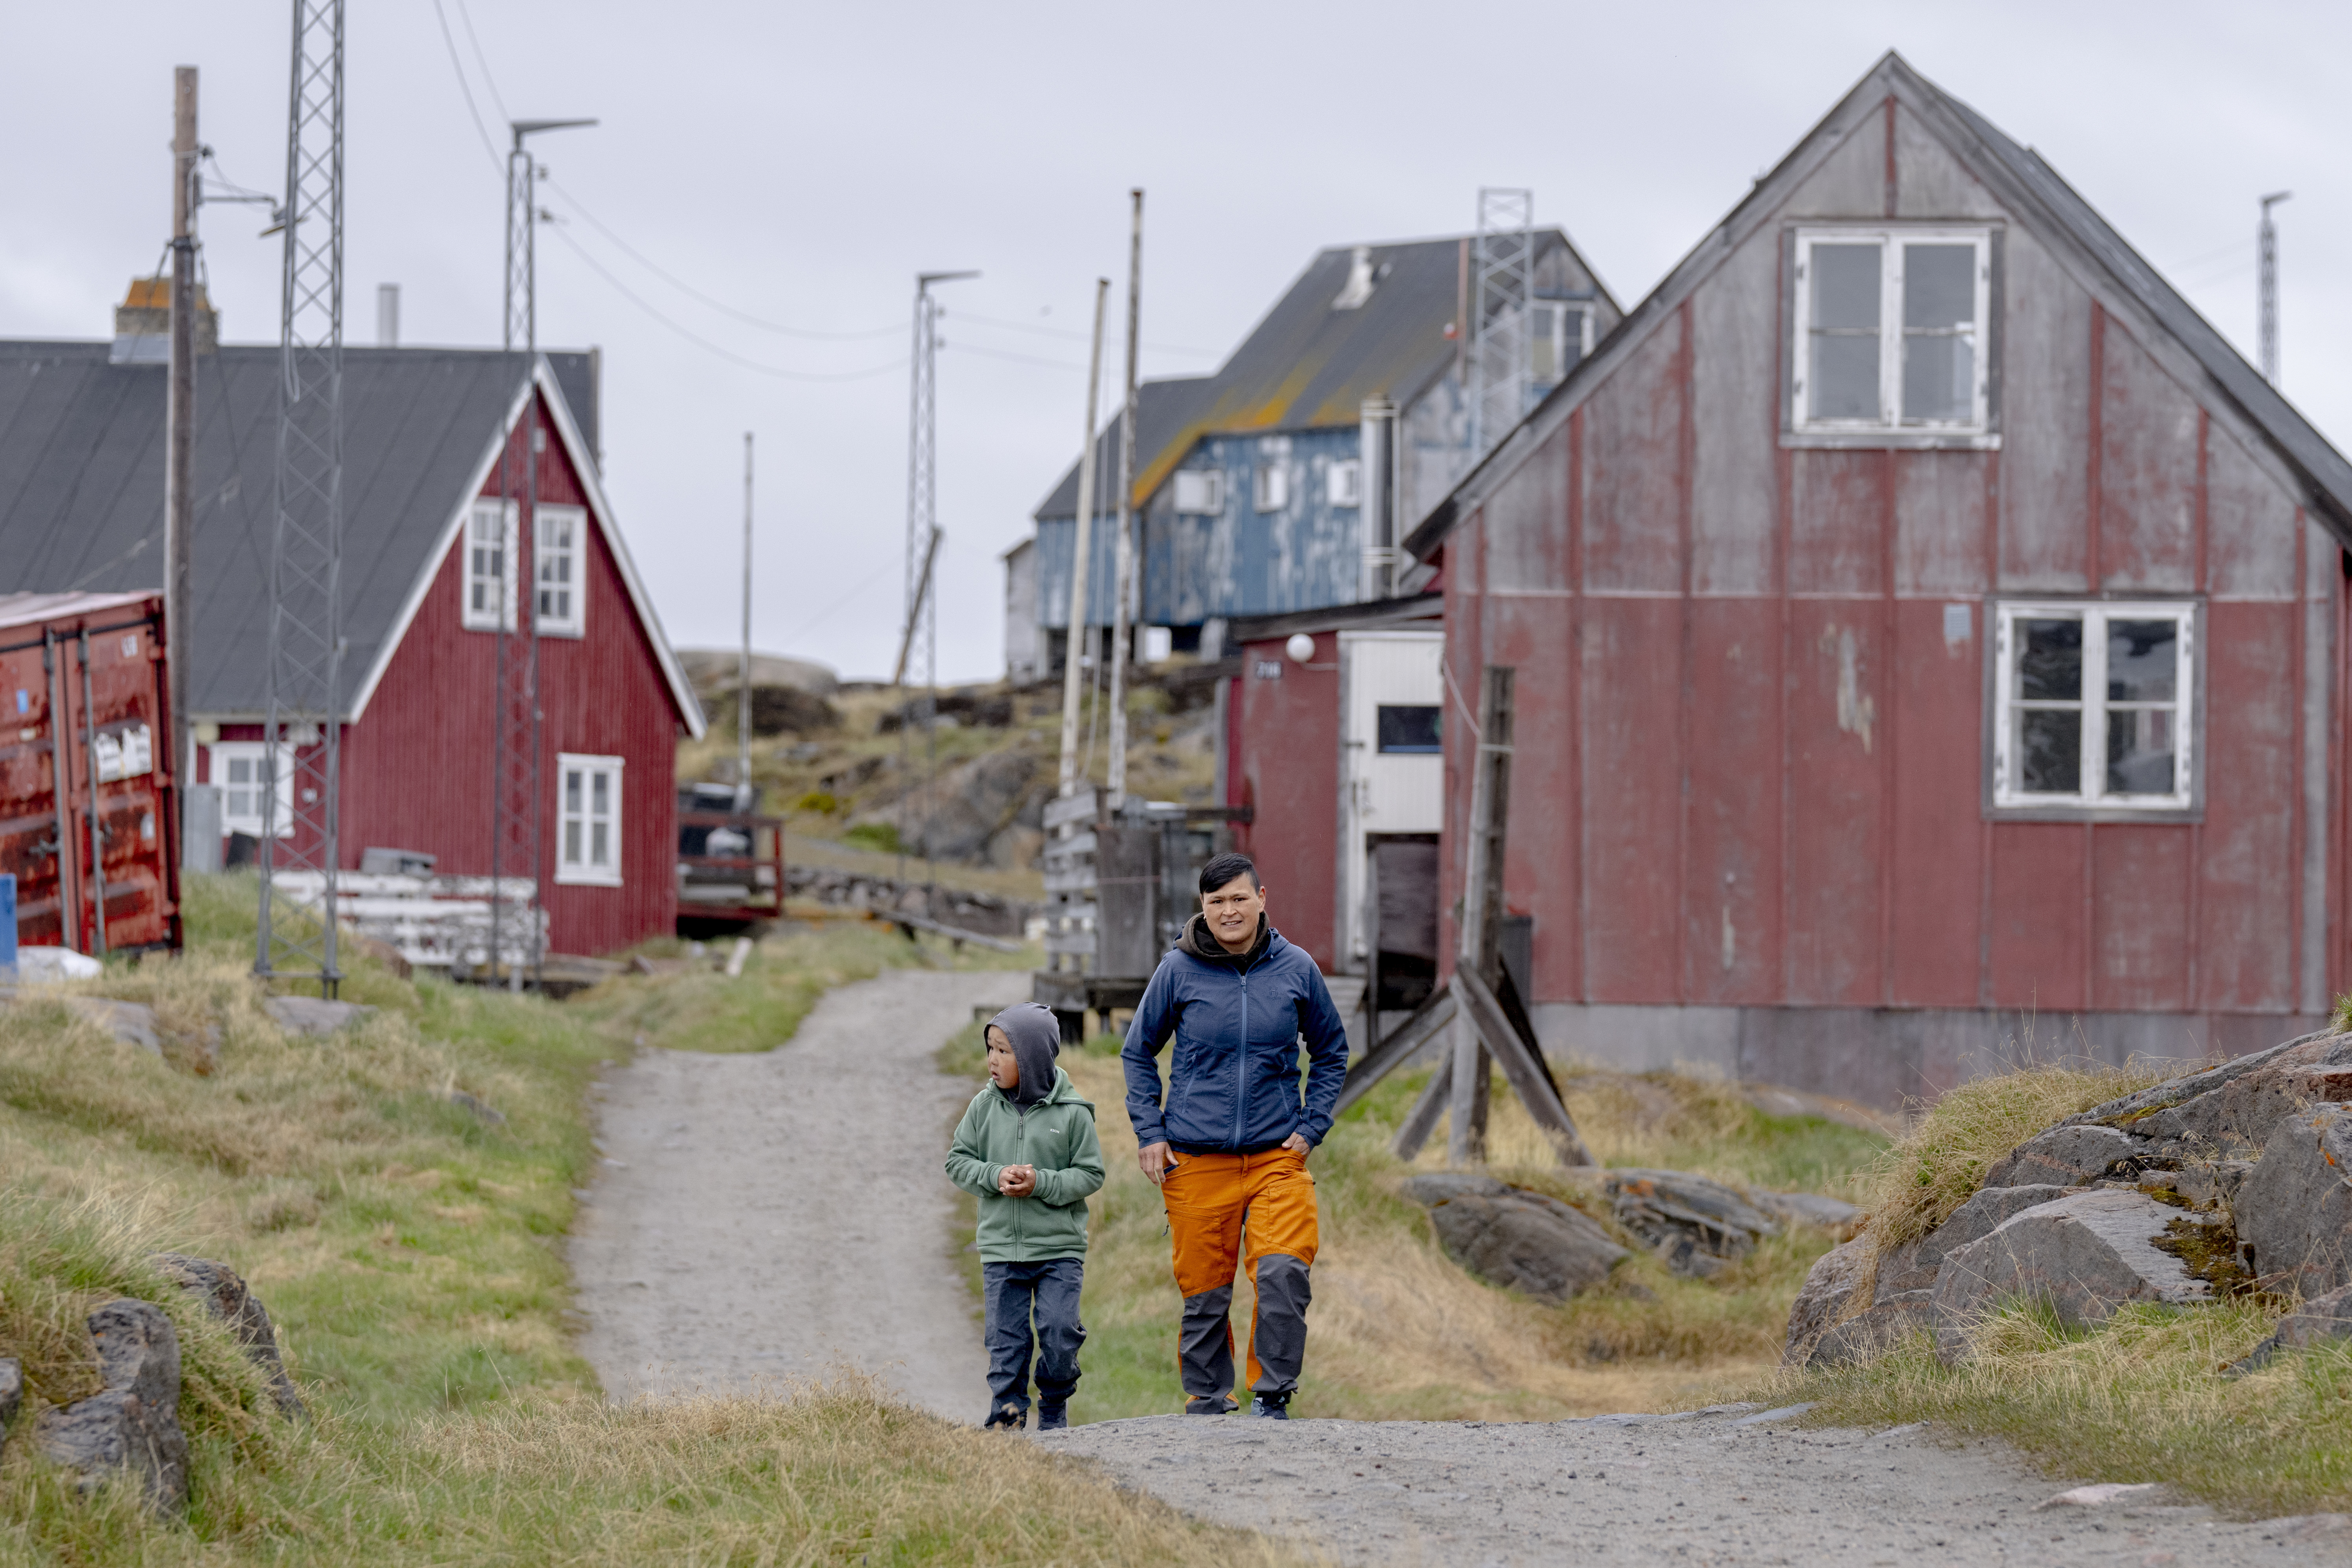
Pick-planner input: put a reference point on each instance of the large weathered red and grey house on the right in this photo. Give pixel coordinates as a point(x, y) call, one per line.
point(1927, 629)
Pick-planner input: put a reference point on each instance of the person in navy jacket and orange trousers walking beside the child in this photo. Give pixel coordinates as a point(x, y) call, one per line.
point(1231, 1146)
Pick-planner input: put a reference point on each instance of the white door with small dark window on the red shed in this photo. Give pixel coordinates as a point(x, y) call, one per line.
point(1391, 758)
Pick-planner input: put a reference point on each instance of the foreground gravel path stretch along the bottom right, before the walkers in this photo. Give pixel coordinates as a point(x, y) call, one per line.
point(1713, 1487)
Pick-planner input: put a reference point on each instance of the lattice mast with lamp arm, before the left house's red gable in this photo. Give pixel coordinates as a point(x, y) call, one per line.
point(514, 786)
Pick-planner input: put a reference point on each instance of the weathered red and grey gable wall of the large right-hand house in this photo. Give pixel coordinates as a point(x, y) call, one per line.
point(1751, 765)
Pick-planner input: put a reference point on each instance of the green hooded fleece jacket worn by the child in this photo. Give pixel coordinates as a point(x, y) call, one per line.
point(1057, 1137)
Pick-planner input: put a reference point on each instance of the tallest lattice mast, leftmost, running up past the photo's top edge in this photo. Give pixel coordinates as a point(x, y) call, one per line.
point(302, 709)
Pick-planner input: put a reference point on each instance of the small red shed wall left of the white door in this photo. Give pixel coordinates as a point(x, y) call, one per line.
point(1288, 768)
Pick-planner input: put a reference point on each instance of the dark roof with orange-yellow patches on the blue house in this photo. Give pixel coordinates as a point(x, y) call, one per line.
point(1311, 363)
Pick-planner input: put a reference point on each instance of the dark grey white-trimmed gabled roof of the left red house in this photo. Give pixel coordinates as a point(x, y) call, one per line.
point(81, 488)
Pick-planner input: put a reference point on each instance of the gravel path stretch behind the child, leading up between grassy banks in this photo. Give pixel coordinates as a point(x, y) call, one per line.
point(784, 1214)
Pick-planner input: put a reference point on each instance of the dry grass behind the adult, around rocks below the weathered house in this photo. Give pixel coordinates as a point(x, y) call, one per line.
point(1398, 1332)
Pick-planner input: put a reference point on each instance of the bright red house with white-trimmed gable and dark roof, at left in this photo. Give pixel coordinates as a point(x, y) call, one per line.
point(425, 579)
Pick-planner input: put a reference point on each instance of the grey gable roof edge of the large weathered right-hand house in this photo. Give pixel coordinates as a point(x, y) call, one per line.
point(2036, 196)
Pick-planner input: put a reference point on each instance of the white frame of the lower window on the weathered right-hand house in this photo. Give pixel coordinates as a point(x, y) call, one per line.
point(2094, 796)
